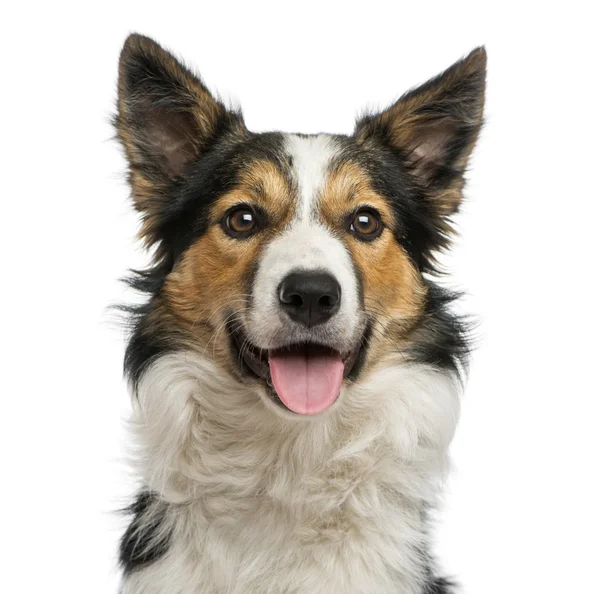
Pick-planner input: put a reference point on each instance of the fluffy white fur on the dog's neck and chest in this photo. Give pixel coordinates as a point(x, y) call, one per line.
point(255, 502)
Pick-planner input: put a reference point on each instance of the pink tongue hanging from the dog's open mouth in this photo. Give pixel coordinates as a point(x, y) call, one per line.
point(307, 382)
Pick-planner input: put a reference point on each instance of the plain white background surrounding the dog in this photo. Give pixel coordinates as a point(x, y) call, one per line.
point(521, 515)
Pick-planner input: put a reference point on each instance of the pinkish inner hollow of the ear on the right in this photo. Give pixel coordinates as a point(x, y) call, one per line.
point(427, 149)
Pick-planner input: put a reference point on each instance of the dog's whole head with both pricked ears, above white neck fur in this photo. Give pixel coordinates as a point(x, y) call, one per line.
point(294, 262)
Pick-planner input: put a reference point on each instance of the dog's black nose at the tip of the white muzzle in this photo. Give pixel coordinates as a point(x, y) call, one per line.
point(310, 298)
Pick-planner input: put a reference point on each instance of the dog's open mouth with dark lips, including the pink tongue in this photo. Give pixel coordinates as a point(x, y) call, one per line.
point(305, 378)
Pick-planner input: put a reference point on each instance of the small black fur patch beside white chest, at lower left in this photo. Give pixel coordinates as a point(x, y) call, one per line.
point(145, 540)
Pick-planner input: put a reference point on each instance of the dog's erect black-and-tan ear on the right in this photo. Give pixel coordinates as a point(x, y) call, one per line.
point(434, 128)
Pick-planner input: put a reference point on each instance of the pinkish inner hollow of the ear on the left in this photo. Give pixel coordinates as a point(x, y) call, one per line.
point(170, 135)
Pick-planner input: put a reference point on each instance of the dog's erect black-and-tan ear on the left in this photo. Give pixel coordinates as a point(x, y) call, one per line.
point(165, 118)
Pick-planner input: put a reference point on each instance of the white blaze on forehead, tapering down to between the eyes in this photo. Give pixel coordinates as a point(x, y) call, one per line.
point(311, 157)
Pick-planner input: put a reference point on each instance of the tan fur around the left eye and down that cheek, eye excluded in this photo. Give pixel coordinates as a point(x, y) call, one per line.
point(211, 280)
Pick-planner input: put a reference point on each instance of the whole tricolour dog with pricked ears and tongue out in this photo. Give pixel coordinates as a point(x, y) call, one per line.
point(296, 368)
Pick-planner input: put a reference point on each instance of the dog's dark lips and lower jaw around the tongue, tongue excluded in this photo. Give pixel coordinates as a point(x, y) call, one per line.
point(253, 364)
